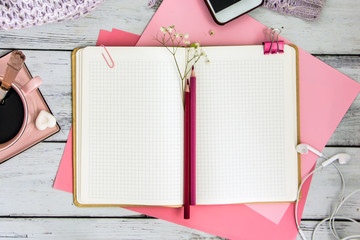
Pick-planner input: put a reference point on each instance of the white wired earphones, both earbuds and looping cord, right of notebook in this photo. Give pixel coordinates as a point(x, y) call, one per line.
point(343, 159)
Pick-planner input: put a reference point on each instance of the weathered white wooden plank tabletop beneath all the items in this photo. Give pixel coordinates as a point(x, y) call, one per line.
point(31, 208)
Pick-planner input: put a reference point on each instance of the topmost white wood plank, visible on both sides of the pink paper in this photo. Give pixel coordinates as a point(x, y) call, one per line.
point(336, 32)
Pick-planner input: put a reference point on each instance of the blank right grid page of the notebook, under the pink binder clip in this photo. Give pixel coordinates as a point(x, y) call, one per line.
point(246, 126)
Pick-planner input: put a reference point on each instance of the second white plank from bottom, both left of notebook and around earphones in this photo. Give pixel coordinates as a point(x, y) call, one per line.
point(32, 174)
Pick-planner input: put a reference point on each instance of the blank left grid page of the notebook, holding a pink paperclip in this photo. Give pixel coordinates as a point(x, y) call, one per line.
point(131, 134)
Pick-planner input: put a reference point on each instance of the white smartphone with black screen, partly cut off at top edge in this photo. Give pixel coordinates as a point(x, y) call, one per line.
point(224, 11)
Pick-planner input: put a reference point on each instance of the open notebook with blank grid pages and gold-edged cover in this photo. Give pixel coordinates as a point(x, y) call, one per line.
point(128, 137)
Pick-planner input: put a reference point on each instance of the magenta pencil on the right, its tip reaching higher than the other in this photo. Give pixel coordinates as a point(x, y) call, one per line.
point(193, 138)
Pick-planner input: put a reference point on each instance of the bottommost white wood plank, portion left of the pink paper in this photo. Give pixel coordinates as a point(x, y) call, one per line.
point(95, 228)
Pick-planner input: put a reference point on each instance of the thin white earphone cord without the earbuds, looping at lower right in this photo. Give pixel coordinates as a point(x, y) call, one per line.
point(332, 218)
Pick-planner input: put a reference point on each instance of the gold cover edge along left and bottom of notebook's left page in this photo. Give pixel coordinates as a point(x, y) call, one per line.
point(76, 202)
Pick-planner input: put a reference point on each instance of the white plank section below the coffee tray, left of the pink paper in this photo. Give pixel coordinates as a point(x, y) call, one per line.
point(26, 187)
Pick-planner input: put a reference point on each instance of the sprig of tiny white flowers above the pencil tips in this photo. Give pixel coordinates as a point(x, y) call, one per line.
point(172, 40)
